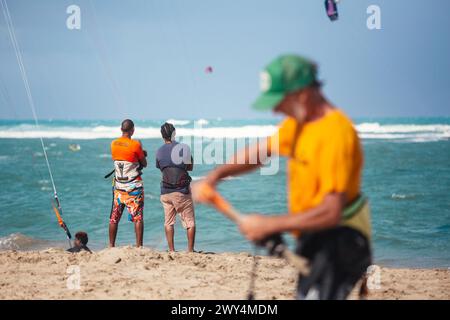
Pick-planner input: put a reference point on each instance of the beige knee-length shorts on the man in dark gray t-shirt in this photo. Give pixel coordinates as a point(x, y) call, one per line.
point(177, 202)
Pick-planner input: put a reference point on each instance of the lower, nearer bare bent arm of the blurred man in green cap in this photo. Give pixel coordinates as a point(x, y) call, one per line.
point(326, 215)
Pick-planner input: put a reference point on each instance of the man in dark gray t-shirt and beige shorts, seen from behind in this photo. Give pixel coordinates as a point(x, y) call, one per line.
point(174, 160)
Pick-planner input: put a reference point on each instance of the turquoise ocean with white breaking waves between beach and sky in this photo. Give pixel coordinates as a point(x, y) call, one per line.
point(406, 176)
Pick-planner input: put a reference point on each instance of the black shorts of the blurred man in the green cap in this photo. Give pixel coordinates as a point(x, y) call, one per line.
point(338, 257)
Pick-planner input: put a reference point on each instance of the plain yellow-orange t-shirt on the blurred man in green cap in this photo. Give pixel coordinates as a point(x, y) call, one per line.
point(324, 156)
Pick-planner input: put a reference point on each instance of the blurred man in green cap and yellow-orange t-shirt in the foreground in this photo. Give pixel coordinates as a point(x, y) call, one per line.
point(327, 212)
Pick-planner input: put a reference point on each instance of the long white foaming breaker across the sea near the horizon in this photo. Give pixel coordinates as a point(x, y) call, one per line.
point(367, 130)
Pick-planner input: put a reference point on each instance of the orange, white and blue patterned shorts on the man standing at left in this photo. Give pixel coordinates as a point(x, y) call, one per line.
point(133, 200)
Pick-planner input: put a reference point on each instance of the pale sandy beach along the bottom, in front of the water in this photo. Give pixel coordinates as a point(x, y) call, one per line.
point(130, 273)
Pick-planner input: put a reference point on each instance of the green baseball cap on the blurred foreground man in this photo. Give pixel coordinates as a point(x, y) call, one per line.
point(284, 75)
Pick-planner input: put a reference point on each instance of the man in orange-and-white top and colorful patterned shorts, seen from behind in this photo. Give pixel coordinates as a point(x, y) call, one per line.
point(129, 160)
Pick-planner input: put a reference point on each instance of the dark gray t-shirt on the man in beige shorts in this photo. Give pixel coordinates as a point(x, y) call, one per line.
point(174, 154)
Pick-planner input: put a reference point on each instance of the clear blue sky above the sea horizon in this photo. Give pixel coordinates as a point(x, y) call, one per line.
point(146, 59)
